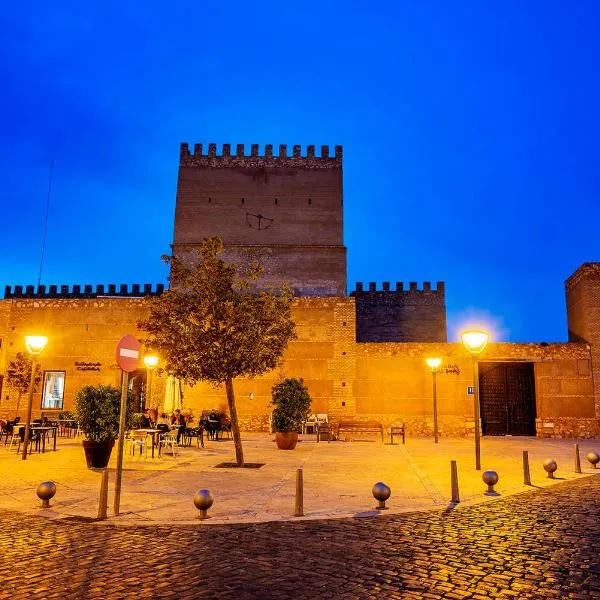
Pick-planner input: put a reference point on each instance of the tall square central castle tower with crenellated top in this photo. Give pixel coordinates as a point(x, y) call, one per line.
point(286, 211)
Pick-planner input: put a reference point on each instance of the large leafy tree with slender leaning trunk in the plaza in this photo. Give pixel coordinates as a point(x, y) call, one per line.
point(215, 324)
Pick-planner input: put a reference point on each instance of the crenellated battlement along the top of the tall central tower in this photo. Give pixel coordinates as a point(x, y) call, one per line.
point(239, 158)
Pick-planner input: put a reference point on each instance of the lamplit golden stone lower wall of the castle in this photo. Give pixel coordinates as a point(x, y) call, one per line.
point(388, 382)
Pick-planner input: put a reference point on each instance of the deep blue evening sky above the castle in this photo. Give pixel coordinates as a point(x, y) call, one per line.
point(470, 132)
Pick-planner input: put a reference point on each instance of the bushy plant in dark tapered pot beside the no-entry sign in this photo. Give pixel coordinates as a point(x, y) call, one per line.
point(97, 411)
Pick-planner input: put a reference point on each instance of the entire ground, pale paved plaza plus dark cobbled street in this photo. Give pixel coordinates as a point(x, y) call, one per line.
point(530, 542)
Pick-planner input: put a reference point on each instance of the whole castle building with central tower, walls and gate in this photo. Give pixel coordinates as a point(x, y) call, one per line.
point(361, 354)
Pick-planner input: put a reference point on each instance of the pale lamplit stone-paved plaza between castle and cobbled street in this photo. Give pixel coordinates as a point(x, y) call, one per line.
point(338, 478)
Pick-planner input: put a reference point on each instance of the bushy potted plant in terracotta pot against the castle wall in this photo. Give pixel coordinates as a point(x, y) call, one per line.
point(292, 407)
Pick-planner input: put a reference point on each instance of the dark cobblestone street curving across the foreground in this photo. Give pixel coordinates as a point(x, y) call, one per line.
point(542, 544)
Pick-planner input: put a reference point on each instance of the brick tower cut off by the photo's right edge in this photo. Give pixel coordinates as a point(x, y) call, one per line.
point(582, 291)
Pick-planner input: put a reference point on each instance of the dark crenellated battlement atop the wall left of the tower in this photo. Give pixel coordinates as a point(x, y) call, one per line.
point(87, 291)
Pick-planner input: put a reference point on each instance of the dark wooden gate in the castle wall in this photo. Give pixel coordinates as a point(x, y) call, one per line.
point(507, 398)
